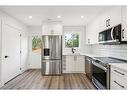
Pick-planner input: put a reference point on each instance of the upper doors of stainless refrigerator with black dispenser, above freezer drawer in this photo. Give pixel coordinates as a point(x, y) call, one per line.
point(52, 45)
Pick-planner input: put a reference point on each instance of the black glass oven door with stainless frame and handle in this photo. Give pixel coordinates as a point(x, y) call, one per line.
point(100, 76)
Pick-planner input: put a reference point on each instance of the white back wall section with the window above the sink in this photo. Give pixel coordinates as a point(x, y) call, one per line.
point(73, 37)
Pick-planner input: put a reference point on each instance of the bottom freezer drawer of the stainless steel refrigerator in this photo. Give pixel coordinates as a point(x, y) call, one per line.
point(51, 67)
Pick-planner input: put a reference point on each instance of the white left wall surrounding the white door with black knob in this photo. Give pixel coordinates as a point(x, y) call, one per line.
point(12, 22)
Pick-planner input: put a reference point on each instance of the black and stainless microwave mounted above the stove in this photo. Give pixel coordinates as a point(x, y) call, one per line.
point(112, 35)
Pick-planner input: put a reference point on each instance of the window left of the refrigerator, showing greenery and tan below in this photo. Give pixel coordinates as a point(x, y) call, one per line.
point(36, 44)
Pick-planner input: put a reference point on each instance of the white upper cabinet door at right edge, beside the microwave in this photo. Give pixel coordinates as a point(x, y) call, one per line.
point(124, 23)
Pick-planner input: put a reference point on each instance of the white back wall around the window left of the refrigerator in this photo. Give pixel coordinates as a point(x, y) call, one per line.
point(34, 58)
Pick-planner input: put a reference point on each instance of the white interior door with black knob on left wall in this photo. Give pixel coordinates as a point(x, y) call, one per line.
point(11, 53)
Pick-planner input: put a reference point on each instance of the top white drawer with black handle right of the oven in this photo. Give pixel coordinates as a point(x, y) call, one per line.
point(119, 72)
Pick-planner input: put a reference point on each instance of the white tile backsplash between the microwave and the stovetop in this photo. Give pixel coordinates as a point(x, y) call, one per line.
point(118, 51)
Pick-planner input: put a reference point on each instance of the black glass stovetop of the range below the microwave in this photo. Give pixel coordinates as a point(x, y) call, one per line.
point(106, 60)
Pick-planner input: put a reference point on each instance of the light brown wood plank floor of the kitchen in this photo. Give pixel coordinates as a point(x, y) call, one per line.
point(32, 79)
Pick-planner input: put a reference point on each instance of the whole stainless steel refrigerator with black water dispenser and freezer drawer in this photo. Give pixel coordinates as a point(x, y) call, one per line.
point(51, 55)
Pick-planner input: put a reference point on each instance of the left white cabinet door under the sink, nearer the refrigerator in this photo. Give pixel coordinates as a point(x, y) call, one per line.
point(70, 64)
